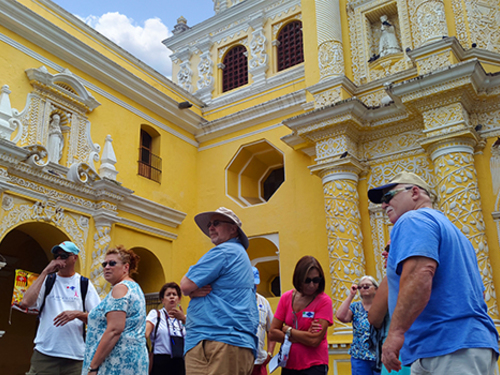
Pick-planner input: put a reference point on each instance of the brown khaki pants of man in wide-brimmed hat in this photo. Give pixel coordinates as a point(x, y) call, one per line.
point(217, 358)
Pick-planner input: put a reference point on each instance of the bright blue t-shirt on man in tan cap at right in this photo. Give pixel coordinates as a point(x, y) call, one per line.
point(456, 316)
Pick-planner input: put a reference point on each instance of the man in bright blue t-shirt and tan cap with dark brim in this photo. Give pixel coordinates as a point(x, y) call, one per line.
point(439, 319)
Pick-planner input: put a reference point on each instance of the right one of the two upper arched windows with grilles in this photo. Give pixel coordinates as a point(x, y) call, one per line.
point(290, 46)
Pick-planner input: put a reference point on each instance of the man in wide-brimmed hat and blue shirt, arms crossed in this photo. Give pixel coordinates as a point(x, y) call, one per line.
point(222, 316)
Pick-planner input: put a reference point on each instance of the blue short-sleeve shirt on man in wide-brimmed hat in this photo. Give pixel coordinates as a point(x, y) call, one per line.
point(228, 313)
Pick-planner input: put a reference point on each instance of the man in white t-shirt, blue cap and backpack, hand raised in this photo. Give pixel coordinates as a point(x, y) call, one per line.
point(64, 299)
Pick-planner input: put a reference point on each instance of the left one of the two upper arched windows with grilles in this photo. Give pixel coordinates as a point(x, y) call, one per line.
point(235, 72)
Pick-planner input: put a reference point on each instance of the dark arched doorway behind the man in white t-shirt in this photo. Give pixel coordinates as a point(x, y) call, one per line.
point(26, 247)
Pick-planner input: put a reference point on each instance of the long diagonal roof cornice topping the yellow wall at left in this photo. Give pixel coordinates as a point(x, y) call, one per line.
point(24, 22)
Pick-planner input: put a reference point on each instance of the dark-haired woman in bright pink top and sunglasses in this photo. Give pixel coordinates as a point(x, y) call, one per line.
point(297, 310)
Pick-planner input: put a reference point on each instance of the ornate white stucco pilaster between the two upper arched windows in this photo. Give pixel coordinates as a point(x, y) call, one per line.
point(258, 64)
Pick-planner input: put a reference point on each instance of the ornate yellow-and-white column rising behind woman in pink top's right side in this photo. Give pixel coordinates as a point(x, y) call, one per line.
point(343, 227)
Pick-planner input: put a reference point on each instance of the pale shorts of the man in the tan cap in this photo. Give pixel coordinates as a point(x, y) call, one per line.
point(474, 361)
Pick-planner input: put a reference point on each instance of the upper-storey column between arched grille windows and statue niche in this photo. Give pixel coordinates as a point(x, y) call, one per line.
point(329, 30)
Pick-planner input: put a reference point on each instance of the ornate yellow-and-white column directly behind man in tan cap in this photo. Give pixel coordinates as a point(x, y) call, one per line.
point(450, 143)
